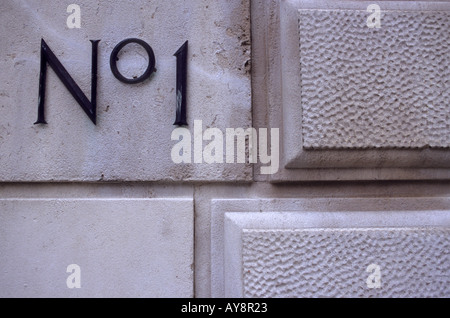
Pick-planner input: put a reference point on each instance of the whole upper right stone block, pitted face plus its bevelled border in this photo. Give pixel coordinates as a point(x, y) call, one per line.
point(354, 102)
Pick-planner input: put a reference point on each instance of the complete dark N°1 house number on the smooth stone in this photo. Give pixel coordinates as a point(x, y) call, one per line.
point(90, 106)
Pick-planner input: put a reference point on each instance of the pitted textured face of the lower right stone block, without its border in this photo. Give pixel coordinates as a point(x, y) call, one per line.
point(333, 262)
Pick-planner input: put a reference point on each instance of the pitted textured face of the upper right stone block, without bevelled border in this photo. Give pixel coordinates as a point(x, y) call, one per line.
point(364, 88)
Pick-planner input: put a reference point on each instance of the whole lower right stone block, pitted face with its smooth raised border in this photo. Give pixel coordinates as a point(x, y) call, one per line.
point(330, 248)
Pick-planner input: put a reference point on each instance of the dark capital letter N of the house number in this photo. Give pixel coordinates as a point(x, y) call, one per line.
point(48, 57)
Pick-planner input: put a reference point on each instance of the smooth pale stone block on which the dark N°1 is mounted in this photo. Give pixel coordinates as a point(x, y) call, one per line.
point(132, 140)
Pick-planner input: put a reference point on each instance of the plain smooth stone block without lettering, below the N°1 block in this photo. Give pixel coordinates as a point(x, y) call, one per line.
point(125, 248)
